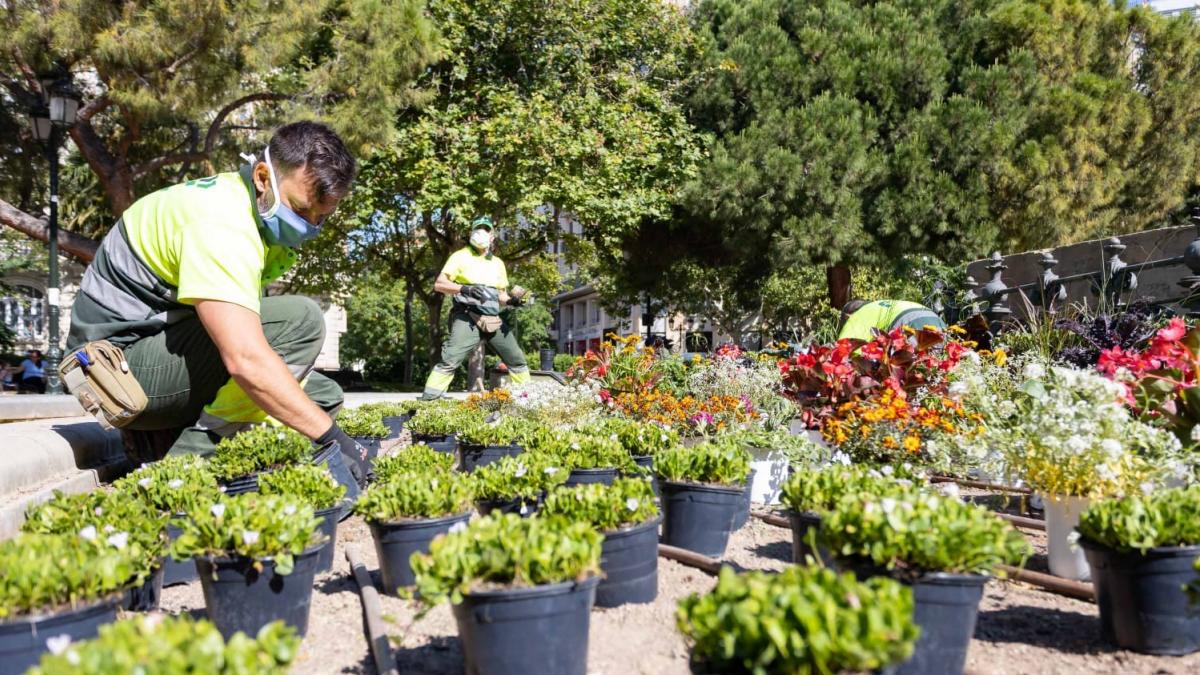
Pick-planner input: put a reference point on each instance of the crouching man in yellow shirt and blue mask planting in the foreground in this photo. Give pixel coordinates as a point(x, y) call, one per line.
point(178, 284)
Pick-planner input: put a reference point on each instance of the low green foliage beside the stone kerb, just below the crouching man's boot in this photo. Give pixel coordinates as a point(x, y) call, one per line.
point(173, 485)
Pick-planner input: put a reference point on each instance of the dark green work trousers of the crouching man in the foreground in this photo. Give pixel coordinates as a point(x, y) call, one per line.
point(182, 373)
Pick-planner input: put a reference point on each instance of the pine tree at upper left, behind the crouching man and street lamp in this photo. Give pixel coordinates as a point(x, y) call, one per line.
point(172, 87)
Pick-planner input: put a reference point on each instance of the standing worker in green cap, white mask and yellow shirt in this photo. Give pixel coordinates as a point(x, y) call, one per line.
point(479, 284)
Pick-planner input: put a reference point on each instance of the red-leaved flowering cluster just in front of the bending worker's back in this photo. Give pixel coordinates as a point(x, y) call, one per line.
point(824, 378)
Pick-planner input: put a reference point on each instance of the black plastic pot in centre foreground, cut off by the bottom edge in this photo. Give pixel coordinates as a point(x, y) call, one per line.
point(526, 631)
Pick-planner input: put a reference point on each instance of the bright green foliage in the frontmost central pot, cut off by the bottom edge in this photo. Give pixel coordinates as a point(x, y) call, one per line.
point(507, 551)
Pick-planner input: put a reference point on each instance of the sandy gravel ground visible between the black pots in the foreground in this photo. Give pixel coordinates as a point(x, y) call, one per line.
point(1021, 631)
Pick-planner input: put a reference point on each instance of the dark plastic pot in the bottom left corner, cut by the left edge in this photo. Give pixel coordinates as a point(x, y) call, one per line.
point(23, 640)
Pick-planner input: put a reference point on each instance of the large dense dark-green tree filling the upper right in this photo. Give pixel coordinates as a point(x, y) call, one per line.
point(853, 132)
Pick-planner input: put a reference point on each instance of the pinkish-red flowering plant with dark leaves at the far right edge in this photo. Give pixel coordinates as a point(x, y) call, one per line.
point(1162, 383)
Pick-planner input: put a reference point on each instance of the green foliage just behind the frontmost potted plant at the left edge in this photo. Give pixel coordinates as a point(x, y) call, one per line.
point(131, 525)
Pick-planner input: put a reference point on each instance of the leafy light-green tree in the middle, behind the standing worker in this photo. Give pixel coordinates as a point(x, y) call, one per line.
point(538, 110)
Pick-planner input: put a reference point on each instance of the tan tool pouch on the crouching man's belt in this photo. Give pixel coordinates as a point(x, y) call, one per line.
point(100, 378)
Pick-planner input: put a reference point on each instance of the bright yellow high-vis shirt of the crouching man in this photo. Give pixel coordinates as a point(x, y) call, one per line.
point(202, 237)
